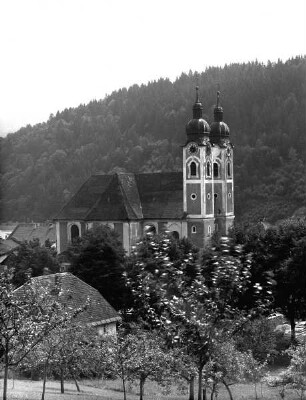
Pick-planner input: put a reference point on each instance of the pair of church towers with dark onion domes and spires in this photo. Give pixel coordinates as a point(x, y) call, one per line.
point(208, 176)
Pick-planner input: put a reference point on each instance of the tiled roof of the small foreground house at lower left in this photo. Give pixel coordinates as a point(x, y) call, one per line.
point(75, 293)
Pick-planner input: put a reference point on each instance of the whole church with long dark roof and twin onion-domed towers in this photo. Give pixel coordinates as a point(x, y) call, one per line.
point(193, 203)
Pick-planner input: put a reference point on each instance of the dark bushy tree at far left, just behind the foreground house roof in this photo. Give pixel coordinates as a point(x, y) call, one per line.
point(31, 259)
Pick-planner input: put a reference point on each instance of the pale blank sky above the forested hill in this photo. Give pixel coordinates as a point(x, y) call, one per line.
point(57, 54)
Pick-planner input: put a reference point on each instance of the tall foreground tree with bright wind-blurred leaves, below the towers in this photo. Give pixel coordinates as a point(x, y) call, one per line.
point(193, 313)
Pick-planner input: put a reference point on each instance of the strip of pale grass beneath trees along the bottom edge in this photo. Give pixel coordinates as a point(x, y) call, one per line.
point(112, 390)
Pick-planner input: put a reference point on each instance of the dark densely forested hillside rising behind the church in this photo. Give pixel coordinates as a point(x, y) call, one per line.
point(141, 129)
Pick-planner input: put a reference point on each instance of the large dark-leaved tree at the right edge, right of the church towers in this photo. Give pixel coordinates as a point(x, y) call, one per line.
point(280, 252)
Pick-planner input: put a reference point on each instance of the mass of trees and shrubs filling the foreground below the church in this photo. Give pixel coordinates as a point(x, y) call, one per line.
point(201, 322)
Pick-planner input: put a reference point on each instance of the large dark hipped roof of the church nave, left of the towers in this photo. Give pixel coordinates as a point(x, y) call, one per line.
point(126, 196)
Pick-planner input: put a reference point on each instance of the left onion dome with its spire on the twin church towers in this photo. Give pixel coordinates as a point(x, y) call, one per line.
point(197, 128)
